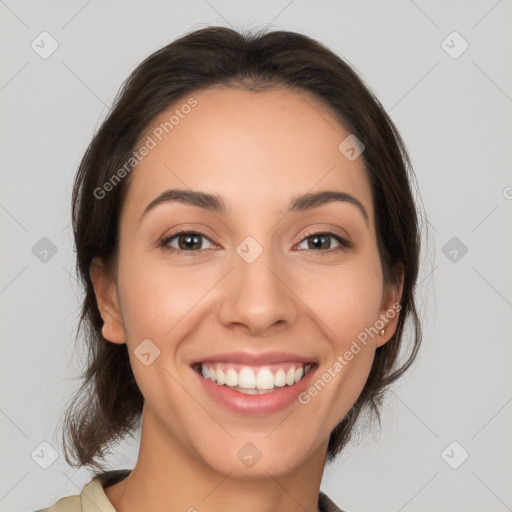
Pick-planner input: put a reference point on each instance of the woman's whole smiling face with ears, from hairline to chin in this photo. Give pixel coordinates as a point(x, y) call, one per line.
point(255, 287)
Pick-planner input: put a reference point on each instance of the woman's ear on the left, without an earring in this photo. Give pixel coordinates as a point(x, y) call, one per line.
point(108, 302)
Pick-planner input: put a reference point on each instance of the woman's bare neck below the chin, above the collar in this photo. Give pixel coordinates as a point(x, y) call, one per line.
point(169, 477)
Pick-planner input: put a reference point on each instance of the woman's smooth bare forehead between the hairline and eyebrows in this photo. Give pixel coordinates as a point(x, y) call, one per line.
point(249, 147)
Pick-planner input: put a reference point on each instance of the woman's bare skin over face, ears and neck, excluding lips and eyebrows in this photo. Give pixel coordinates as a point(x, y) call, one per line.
point(257, 151)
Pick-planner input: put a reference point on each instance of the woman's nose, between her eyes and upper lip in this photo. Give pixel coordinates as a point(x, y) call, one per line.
point(258, 297)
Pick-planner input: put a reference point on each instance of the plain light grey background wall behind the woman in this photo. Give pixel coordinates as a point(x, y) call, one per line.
point(454, 114)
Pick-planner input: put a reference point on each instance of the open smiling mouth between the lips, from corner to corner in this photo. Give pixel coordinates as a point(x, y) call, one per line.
point(252, 379)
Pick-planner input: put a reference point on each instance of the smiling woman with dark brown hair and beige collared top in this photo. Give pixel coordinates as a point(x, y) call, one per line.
point(249, 246)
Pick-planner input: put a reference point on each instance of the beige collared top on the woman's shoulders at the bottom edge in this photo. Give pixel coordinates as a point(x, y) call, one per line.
point(93, 497)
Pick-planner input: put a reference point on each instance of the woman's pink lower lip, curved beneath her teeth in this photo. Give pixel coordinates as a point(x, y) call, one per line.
point(256, 405)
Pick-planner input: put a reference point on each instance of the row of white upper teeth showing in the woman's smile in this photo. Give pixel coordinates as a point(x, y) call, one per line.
point(246, 381)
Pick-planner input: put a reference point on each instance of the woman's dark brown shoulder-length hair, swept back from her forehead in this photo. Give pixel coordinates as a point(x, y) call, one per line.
point(109, 404)
